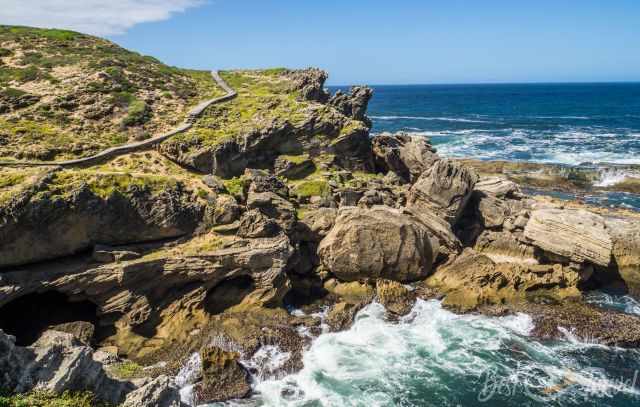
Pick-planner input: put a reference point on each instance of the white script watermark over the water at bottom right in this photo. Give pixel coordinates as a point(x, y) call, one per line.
point(540, 387)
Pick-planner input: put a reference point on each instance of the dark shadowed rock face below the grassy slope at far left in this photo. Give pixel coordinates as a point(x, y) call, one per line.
point(44, 223)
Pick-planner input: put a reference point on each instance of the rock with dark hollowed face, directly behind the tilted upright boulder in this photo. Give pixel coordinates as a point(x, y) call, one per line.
point(402, 154)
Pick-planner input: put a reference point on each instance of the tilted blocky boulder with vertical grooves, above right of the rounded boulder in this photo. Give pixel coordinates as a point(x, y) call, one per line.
point(444, 189)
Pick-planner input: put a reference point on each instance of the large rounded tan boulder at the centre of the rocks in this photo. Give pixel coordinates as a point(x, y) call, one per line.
point(377, 243)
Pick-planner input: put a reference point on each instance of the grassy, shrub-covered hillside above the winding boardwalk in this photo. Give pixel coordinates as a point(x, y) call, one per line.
point(66, 95)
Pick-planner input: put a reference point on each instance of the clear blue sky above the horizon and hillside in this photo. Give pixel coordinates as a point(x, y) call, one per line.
point(383, 42)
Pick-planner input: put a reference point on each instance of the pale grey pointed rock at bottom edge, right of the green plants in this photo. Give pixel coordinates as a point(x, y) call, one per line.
point(159, 392)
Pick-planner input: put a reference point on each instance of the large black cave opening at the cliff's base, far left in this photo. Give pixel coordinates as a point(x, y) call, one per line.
point(30, 315)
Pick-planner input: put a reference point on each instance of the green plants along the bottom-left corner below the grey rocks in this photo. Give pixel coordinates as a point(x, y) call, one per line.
point(49, 399)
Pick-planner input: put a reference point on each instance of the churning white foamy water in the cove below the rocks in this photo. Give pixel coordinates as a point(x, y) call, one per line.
point(433, 357)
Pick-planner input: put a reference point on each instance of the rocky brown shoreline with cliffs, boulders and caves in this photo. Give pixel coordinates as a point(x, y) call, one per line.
point(310, 214)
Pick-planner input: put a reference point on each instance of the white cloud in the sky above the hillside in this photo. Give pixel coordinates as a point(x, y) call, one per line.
point(100, 17)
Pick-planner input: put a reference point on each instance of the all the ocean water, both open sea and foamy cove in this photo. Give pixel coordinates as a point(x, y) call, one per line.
point(433, 357)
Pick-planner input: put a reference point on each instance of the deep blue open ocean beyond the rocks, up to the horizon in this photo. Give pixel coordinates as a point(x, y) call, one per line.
point(569, 124)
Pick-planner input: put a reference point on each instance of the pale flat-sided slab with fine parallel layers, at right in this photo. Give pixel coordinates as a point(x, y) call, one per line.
point(575, 235)
